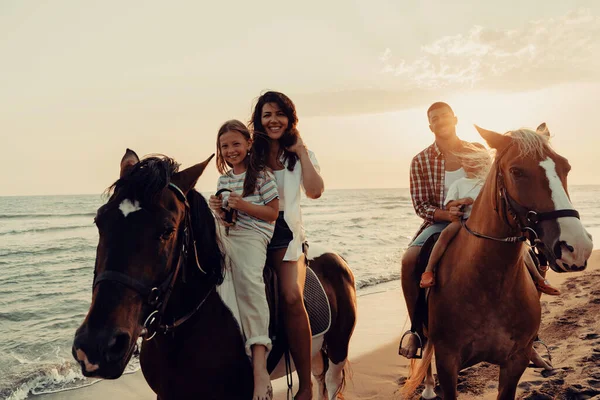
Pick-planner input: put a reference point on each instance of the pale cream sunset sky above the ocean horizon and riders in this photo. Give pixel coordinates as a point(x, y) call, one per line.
point(81, 81)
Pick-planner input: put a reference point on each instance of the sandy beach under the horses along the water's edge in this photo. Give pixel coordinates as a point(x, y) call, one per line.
point(570, 327)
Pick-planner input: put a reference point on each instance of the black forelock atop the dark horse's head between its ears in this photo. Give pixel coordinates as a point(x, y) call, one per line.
point(146, 180)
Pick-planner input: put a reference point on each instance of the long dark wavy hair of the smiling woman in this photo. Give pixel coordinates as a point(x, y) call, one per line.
point(260, 148)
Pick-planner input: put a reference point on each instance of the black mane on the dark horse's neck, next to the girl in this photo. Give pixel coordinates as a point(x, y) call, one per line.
point(205, 233)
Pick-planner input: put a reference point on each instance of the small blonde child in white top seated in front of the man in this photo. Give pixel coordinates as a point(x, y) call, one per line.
point(476, 164)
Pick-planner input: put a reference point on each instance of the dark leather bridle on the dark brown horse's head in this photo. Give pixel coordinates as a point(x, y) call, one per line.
point(157, 296)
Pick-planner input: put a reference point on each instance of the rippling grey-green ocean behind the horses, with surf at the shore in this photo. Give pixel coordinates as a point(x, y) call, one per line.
point(47, 252)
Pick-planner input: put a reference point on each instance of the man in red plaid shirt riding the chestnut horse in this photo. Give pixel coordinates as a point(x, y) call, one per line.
point(432, 171)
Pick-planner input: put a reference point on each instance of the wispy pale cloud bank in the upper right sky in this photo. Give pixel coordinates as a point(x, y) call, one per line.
point(540, 54)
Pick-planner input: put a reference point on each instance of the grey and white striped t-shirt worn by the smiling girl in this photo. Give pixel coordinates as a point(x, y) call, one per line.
point(265, 192)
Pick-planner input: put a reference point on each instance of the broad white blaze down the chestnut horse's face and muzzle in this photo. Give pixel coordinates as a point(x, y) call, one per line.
point(572, 231)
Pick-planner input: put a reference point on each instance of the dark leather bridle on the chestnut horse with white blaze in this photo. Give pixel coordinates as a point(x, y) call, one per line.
point(526, 219)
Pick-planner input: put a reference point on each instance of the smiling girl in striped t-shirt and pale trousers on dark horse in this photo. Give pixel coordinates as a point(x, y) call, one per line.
point(255, 197)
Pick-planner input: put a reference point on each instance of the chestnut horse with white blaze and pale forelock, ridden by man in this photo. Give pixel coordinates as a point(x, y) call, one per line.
point(485, 306)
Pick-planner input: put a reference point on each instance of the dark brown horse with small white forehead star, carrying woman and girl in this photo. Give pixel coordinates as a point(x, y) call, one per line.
point(158, 264)
